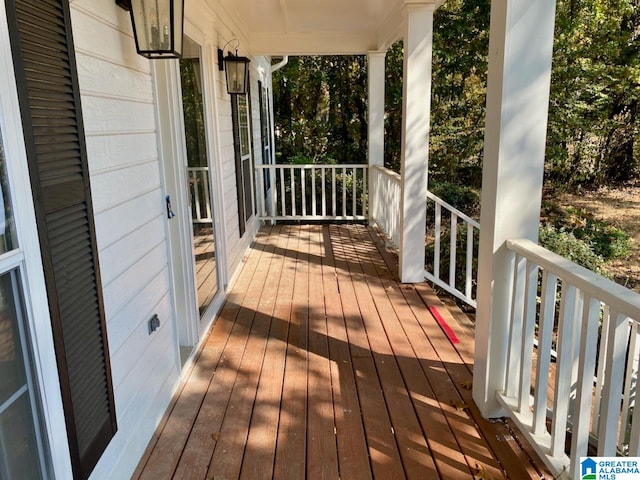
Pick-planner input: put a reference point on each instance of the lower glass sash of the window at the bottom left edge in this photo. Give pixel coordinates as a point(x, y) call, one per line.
point(20, 447)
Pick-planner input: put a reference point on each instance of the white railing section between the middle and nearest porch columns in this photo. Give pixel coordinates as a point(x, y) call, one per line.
point(462, 274)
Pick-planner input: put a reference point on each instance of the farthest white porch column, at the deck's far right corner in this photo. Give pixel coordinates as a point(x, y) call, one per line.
point(375, 118)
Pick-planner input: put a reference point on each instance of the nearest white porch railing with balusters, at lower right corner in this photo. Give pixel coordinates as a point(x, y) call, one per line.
point(587, 396)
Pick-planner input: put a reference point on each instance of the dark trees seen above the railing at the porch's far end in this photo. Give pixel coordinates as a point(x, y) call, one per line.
point(320, 105)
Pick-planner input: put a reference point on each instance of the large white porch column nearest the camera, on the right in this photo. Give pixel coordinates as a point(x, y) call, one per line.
point(520, 50)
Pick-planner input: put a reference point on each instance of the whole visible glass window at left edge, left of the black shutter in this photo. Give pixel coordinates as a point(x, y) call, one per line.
point(22, 452)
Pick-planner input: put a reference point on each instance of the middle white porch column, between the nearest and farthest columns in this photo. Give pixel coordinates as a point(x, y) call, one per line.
point(416, 106)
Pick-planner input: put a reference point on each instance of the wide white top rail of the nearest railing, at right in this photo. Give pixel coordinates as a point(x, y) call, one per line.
point(623, 300)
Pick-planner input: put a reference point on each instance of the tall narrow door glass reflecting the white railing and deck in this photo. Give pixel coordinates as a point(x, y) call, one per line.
point(199, 177)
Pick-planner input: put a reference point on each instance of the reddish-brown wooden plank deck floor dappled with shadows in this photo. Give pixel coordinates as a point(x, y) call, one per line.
point(322, 366)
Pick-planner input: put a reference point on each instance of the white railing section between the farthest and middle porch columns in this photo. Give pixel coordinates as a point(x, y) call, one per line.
point(386, 192)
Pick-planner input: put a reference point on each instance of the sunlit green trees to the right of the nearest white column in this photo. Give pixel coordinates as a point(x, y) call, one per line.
point(593, 114)
